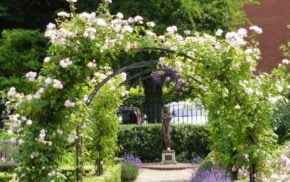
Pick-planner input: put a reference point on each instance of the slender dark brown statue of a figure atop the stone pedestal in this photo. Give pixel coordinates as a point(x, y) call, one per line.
point(166, 127)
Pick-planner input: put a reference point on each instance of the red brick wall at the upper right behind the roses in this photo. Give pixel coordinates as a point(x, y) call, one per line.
point(272, 16)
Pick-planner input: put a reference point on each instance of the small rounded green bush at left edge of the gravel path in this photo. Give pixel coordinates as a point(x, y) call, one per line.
point(129, 172)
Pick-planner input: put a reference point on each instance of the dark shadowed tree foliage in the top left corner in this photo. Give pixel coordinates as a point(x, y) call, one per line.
point(21, 14)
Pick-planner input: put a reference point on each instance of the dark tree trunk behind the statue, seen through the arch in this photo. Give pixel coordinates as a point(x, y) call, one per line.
point(153, 100)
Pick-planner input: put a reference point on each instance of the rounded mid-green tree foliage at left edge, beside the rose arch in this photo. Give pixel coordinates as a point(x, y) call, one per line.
point(20, 51)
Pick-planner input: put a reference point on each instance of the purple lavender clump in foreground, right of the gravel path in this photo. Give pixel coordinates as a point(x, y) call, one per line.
point(213, 174)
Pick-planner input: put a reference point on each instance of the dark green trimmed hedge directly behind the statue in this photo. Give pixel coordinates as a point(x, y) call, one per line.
point(146, 141)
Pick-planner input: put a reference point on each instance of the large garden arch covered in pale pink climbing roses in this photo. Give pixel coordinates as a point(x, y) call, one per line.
point(83, 49)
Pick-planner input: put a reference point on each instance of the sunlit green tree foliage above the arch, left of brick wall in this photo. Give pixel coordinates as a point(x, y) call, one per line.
point(198, 15)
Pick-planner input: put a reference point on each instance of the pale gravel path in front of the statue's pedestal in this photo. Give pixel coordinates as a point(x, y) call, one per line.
point(149, 175)
